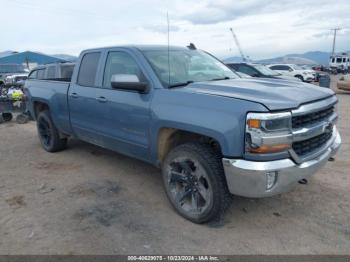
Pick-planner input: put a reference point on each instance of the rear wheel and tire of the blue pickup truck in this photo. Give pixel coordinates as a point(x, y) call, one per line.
point(48, 133)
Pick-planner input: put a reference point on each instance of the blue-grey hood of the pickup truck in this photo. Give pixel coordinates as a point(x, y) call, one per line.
point(274, 94)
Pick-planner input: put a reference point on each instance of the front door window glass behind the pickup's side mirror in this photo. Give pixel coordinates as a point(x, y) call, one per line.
point(120, 63)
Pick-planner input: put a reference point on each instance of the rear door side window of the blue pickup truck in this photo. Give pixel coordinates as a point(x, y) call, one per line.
point(88, 69)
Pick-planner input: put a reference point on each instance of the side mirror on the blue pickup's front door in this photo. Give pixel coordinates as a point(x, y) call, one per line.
point(128, 82)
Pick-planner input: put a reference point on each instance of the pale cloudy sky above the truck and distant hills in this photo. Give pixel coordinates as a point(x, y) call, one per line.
point(264, 28)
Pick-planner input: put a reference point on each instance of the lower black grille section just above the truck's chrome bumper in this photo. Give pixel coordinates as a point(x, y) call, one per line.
point(302, 148)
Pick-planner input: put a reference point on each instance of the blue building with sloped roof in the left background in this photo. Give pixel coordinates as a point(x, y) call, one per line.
point(29, 59)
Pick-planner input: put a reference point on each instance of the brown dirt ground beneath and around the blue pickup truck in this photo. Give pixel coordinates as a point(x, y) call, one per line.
point(87, 200)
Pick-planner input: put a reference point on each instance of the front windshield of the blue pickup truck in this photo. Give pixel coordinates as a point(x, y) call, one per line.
point(186, 66)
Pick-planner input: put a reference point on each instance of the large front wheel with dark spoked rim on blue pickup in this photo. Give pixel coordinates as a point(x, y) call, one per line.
point(190, 172)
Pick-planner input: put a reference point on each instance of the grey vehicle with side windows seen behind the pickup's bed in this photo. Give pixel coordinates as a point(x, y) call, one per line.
point(56, 71)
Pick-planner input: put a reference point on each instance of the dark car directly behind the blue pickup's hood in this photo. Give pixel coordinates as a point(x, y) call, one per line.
point(258, 70)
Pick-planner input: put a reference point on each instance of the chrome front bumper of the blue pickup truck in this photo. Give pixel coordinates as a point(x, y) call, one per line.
point(249, 178)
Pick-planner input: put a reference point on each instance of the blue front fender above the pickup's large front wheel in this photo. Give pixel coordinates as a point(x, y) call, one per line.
point(218, 117)
